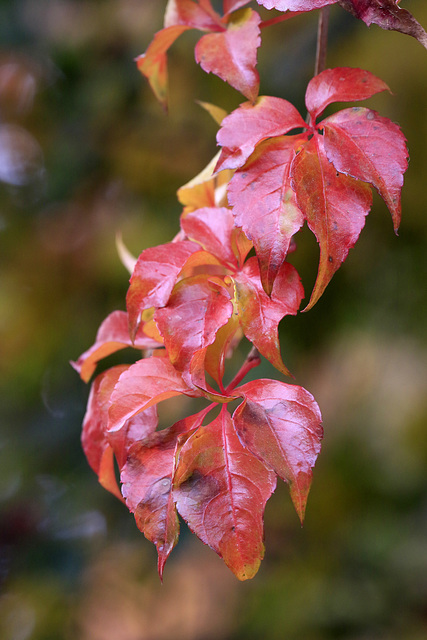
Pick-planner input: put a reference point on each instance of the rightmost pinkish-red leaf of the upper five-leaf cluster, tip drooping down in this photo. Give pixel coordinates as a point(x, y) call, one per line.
point(368, 147)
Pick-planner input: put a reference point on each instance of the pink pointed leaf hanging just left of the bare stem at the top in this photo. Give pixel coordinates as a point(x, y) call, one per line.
point(232, 54)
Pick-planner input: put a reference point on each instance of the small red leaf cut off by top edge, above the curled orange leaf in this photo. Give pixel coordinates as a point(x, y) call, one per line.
point(199, 14)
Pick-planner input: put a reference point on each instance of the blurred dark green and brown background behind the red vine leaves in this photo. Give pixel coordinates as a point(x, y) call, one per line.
point(85, 152)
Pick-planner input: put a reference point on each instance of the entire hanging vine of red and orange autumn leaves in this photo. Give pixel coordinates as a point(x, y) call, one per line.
point(225, 276)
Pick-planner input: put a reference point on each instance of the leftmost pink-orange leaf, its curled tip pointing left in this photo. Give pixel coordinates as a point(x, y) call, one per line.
point(113, 335)
